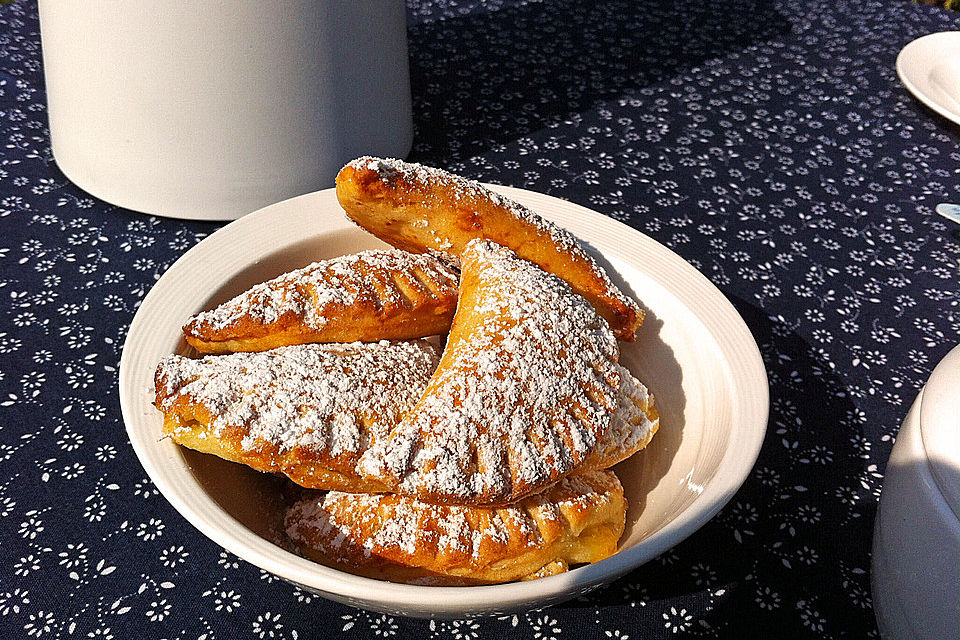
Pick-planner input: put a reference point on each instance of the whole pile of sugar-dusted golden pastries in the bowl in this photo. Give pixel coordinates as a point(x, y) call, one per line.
point(485, 460)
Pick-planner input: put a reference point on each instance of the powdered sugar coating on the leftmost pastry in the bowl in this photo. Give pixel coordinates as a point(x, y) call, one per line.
point(331, 398)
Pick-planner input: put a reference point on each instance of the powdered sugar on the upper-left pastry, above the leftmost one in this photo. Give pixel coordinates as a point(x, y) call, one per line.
point(311, 292)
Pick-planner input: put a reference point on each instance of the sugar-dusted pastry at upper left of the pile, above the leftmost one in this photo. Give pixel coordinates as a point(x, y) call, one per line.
point(368, 296)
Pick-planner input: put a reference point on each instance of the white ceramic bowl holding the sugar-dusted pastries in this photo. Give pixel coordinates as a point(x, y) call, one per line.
point(693, 351)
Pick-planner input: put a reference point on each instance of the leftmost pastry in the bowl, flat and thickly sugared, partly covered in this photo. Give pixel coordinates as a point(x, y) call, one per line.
point(307, 411)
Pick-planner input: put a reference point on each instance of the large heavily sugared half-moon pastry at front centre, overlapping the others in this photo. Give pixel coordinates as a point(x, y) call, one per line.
point(527, 384)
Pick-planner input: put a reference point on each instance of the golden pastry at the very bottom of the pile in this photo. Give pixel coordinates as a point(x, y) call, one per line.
point(401, 539)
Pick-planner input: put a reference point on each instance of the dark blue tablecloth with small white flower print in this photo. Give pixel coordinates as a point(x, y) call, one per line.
point(768, 143)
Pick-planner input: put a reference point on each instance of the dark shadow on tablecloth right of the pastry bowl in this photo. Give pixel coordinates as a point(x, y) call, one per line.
point(813, 554)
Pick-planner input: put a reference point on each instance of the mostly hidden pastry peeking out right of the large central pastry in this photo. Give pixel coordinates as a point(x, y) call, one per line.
point(632, 427)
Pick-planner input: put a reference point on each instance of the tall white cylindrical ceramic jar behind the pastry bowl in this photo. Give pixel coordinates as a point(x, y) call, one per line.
point(213, 109)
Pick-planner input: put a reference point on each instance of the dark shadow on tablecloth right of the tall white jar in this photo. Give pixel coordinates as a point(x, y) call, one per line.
point(490, 76)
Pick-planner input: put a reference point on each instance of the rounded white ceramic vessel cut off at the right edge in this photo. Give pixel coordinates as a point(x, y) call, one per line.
point(915, 572)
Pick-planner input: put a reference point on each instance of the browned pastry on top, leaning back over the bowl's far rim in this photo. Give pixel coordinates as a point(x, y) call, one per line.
point(420, 208)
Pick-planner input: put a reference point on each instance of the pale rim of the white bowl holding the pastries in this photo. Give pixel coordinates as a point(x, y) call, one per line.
point(749, 392)
